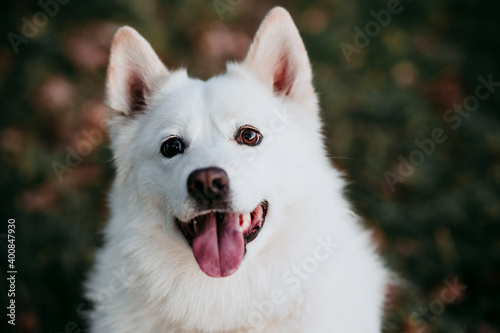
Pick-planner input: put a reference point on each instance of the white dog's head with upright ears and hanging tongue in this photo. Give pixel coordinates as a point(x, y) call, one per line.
point(215, 157)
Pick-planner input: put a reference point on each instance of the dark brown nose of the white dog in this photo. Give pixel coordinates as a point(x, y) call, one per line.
point(209, 186)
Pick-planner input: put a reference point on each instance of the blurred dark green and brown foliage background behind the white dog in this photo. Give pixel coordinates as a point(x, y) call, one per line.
point(438, 229)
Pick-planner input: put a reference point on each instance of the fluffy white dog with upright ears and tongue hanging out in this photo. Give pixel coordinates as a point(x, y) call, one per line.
point(226, 214)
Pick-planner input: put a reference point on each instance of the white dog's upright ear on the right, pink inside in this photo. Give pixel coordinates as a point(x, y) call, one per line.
point(278, 58)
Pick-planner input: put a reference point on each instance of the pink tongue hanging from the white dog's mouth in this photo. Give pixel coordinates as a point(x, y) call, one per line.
point(219, 247)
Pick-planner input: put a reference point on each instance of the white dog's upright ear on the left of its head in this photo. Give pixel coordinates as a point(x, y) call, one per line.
point(134, 73)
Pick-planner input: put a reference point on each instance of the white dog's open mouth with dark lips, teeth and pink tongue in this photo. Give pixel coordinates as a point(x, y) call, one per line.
point(219, 238)
